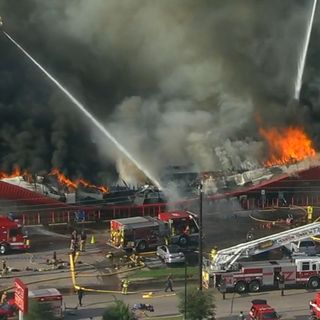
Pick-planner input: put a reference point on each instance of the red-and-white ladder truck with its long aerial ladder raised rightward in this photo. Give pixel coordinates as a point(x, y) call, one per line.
point(254, 275)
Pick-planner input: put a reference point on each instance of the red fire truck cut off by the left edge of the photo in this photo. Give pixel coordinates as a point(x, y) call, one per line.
point(12, 236)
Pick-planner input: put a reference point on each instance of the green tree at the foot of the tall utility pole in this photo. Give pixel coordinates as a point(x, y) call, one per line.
point(199, 305)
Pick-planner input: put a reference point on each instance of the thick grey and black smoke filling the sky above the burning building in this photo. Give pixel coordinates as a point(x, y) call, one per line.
point(175, 81)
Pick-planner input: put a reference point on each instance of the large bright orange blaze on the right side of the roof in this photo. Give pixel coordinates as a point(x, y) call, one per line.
point(287, 145)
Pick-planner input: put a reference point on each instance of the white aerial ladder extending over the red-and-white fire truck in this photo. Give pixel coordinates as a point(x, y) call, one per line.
point(224, 260)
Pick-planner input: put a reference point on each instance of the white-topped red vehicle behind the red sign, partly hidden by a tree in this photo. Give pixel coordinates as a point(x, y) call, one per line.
point(51, 296)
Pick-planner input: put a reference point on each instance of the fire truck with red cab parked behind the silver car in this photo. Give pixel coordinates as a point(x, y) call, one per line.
point(143, 233)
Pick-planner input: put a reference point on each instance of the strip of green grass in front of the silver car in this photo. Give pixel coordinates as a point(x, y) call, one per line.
point(162, 273)
